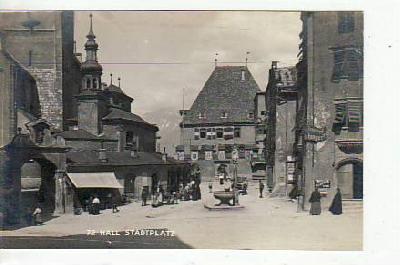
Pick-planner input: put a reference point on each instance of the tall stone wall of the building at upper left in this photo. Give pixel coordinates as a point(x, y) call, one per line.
point(41, 51)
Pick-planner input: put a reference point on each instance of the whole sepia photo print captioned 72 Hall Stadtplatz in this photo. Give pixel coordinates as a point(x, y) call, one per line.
point(182, 129)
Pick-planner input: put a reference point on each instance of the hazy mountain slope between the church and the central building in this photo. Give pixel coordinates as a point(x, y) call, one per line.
point(167, 120)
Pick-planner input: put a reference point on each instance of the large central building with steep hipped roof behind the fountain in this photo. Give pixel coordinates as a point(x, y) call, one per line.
point(225, 115)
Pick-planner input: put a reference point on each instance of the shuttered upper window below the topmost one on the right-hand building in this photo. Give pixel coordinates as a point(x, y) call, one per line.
point(348, 64)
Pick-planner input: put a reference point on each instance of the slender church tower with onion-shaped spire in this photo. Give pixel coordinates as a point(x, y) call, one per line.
point(92, 103)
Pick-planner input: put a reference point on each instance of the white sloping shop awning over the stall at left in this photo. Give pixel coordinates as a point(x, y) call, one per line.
point(95, 180)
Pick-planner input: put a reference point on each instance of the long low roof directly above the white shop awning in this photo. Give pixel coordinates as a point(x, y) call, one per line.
point(91, 158)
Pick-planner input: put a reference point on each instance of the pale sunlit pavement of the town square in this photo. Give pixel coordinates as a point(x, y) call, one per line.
point(263, 223)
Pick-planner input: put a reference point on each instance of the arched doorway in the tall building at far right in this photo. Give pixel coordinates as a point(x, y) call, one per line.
point(349, 176)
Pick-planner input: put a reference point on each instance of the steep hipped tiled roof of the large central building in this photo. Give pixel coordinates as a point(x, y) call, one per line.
point(225, 91)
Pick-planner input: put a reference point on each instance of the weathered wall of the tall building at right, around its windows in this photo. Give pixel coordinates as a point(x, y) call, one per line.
point(322, 36)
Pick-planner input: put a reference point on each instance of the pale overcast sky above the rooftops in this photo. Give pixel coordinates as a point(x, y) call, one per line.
point(133, 44)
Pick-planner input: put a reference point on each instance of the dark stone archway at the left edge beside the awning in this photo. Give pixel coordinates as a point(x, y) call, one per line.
point(52, 161)
